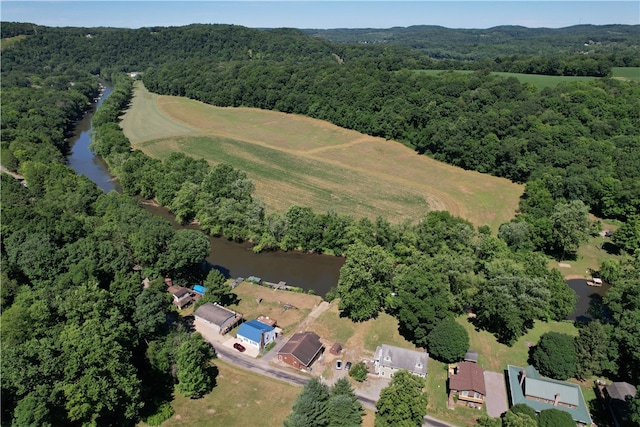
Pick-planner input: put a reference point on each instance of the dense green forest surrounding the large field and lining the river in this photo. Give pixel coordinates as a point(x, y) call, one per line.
point(85, 344)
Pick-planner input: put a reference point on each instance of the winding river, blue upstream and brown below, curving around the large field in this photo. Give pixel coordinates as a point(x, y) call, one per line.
point(307, 271)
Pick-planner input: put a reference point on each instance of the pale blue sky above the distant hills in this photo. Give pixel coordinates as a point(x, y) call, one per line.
point(322, 14)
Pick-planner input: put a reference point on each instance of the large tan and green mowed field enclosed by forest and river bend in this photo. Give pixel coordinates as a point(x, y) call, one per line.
point(307, 162)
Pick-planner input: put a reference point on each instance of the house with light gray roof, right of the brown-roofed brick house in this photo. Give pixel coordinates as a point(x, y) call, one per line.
point(389, 359)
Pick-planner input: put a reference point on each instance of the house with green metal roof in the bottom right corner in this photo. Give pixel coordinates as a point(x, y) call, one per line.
point(527, 386)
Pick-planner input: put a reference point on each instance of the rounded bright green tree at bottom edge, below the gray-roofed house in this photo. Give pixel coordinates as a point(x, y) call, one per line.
point(403, 402)
